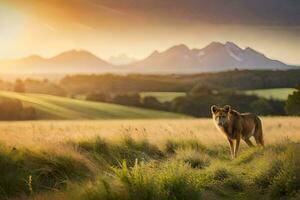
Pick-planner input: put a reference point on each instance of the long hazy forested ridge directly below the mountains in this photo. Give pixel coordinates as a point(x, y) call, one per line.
point(242, 80)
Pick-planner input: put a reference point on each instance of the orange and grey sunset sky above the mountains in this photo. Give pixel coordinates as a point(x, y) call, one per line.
point(138, 27)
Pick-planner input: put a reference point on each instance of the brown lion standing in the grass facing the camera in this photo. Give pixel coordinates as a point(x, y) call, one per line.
point(237, 126)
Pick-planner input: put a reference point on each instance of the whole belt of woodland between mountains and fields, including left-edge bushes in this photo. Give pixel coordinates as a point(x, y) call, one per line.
point(202, 91)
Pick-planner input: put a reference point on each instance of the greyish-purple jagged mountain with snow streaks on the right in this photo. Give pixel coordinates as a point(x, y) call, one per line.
point(214, 57)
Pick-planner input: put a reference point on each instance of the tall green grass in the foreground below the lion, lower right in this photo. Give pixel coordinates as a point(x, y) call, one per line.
point(180, 176)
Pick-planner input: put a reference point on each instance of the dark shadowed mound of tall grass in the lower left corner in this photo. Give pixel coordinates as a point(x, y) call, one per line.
point(25, 171)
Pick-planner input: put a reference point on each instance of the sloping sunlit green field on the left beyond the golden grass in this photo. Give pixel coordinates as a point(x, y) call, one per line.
point(54, 107)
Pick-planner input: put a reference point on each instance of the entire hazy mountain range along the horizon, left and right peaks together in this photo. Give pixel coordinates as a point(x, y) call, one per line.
point(177, 59)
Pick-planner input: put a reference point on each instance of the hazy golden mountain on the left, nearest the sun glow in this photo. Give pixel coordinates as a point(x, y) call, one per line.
point(67, 62)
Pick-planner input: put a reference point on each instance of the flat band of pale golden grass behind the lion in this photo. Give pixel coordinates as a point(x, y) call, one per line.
point(56, 133)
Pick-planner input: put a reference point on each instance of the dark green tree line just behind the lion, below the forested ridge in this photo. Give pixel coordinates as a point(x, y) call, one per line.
point(197, 102)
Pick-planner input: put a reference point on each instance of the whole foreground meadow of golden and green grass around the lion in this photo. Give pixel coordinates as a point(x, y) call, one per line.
point(145, 159)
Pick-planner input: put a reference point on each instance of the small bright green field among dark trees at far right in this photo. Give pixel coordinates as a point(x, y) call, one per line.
point(275, 93)
